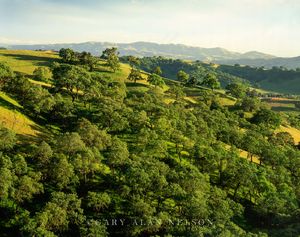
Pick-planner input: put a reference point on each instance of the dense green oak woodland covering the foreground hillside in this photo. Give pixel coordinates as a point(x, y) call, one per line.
point(165, 169)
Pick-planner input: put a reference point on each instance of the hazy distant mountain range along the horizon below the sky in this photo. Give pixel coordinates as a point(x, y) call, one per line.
point(179, 51)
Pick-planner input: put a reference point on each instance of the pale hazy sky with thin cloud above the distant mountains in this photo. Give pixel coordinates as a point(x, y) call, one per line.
point(269, 26)
